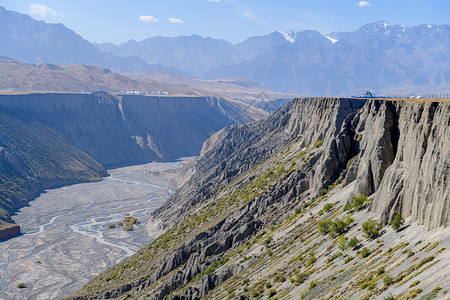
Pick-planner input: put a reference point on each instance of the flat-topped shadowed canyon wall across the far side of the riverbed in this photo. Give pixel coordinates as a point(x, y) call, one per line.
point(133, 129)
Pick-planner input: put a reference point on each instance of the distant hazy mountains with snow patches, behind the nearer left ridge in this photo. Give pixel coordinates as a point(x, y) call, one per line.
point(377, 56)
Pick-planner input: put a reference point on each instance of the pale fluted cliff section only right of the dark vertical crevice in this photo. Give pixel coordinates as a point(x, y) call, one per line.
point(416, 182)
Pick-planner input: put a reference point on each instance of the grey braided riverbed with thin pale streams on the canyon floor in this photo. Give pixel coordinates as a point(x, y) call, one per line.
point(66, 239)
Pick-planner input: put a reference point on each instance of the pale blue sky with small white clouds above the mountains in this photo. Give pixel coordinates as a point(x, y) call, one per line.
point(118, 21)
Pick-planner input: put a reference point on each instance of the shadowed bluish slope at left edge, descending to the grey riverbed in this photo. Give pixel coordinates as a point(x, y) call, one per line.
point(34, 157)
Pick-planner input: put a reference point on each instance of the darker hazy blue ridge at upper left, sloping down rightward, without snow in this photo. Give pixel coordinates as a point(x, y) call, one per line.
point(31, 41)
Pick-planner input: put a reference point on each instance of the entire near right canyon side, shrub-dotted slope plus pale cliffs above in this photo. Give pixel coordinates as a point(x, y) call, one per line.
point(298, 206)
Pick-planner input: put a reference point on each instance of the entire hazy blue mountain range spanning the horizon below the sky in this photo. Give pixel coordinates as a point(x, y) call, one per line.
point(387, 59)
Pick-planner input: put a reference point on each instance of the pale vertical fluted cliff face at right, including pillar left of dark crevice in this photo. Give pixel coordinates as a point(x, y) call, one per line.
point(403, 160)
